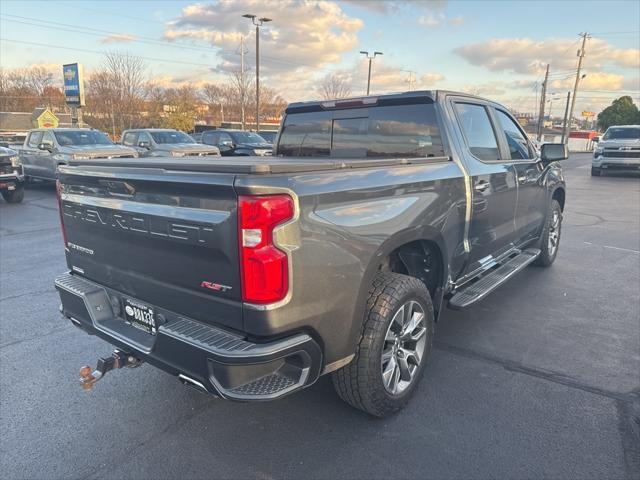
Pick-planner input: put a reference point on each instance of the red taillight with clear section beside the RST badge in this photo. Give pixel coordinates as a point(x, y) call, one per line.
point(264, 268)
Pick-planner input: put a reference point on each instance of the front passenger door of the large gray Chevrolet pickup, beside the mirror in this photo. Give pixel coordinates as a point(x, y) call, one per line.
point(532, 193)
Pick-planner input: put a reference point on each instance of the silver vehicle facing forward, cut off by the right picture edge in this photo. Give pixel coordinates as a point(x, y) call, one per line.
point(618, 150)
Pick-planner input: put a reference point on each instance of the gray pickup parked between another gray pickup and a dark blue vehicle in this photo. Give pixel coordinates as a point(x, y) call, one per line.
point(156, 142)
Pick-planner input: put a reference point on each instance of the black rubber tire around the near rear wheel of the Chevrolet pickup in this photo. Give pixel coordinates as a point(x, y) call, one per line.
point(360, 383)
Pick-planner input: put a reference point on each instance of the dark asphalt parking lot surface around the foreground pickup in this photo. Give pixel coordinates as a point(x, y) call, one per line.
point(542, 379)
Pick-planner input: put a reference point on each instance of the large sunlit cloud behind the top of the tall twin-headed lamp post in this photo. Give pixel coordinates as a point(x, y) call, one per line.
point(302, 34)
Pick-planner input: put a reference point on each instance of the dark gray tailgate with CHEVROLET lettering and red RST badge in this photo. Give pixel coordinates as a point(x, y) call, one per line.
point(164, 237)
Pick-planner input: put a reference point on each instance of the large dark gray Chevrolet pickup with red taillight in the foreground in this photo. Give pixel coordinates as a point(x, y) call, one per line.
point(248, 278)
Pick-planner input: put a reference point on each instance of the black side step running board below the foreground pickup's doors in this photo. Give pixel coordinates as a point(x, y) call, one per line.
point(489, 282)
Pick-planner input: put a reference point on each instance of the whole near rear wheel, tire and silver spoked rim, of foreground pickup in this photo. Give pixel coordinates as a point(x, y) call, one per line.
point(394, 347)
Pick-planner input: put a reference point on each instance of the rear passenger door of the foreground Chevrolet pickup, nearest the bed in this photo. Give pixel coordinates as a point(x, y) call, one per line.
point(493, 183)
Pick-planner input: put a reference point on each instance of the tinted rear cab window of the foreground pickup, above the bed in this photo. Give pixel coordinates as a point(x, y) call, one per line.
point(385, 131)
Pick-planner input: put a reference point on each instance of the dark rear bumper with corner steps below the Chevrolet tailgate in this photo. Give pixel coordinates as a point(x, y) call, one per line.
point(209, 358)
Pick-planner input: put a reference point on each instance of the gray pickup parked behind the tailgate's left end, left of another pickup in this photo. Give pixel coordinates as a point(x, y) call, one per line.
point(45, 149)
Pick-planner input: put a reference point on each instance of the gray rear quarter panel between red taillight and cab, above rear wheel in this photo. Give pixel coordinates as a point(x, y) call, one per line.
point(349, 220)
